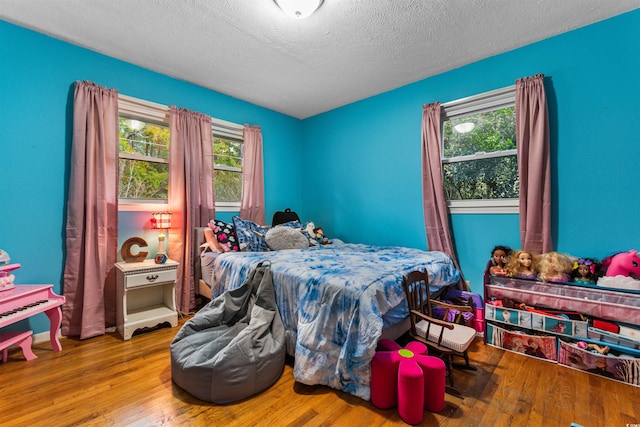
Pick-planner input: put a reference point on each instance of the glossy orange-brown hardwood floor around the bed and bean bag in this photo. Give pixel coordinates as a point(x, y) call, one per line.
point(105, 381)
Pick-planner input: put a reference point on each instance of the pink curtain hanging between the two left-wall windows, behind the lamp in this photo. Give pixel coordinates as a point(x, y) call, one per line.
point(190, 193)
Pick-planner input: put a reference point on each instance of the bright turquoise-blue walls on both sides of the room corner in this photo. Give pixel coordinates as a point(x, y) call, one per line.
point(364, 182)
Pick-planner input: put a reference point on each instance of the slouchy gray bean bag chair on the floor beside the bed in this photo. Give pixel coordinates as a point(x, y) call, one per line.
point(234, 346)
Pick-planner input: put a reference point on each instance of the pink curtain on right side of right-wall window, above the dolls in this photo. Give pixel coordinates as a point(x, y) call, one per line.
point(534, 164)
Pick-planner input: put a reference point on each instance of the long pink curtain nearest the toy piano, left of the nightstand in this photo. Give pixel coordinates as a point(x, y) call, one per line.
point(92, 213)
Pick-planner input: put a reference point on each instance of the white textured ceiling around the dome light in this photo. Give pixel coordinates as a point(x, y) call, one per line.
point(348, 50)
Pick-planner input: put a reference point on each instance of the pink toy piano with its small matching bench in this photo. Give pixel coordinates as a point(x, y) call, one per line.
point(20, 302)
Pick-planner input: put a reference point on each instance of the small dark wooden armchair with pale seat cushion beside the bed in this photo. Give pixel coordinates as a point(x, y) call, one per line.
point(449, 339)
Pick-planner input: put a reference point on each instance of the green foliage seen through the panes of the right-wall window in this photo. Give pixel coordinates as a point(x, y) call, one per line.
point(488, 176)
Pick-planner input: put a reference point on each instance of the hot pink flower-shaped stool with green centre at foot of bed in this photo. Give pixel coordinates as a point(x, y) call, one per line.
point(409, 378)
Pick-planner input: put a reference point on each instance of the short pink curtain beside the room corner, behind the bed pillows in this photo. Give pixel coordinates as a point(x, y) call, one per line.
point(252, 205)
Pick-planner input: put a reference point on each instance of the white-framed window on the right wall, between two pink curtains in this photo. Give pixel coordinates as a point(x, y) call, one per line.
point(479, 163)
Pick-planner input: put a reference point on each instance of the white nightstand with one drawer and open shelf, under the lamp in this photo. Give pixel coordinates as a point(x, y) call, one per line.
point(145, 295)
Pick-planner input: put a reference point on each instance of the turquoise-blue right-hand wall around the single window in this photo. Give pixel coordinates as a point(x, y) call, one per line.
point(368, 187)
